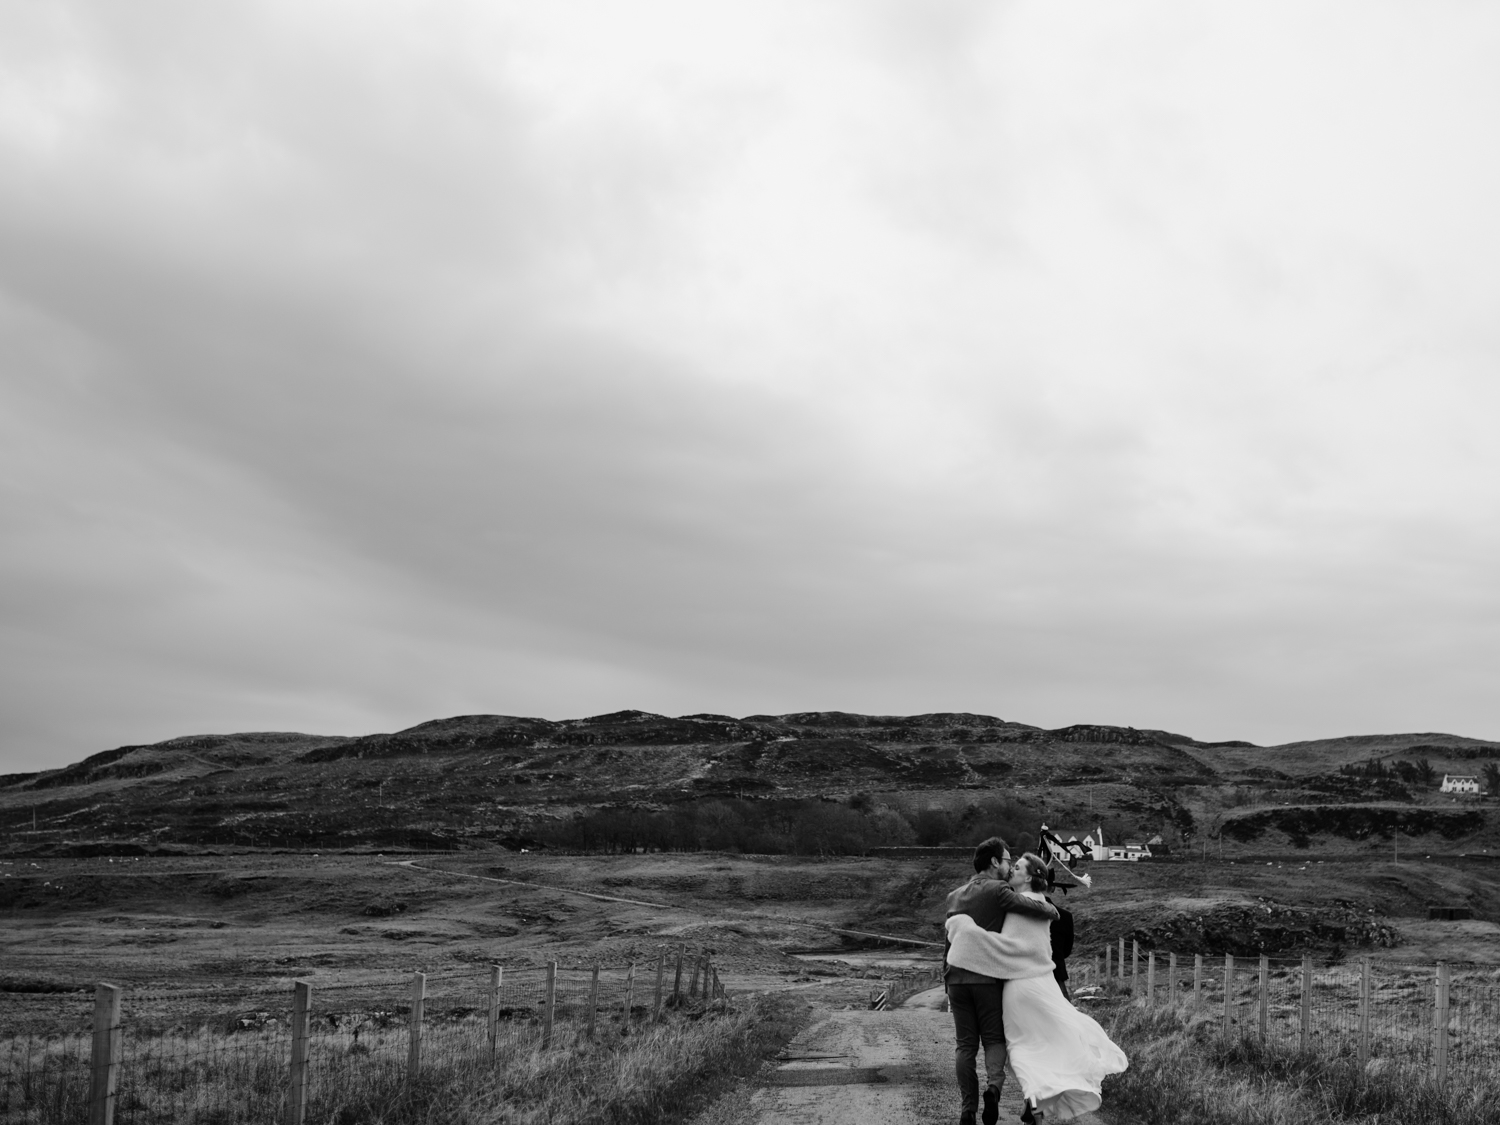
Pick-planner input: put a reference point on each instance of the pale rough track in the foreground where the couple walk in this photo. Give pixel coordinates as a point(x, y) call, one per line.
point(874, 1069)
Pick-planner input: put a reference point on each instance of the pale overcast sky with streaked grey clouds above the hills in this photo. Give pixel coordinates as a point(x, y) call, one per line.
point(365, 364)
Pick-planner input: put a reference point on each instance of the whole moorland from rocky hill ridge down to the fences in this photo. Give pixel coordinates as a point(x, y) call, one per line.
point(269, 856)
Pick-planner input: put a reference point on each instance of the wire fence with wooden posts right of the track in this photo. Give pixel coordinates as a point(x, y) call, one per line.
point(1439, 1019)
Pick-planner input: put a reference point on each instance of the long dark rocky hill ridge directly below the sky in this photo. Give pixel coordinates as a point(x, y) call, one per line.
point(896, 779)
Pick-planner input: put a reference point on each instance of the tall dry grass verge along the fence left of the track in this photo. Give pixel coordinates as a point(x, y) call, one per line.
point(655, 1075)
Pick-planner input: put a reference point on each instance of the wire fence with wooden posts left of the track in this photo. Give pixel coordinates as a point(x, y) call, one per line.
point(223, 1057)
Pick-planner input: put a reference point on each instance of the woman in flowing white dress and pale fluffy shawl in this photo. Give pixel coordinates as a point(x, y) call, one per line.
point(1057, 1054)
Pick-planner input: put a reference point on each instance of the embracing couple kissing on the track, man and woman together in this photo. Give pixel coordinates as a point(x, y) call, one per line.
point(998, 971)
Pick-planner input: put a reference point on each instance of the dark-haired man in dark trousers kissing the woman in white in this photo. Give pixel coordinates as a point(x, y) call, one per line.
point(973, 998)
